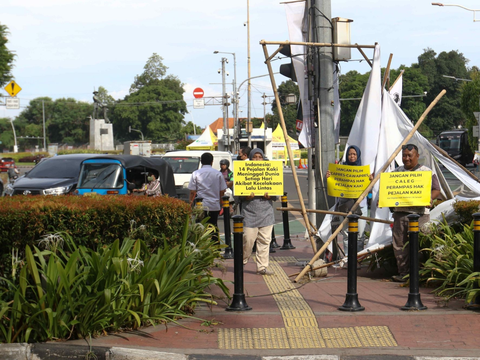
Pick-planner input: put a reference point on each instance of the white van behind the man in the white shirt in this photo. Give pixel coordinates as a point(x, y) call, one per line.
point(184, 163)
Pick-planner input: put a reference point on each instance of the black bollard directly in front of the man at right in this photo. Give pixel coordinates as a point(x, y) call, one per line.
point(414, 302)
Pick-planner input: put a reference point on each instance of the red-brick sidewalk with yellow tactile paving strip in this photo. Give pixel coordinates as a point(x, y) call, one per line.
point(289, 320)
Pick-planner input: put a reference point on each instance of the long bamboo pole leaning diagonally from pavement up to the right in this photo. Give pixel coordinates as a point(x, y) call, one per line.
point(369, 187)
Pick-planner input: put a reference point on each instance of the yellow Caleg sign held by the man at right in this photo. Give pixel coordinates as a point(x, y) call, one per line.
point(405, 188)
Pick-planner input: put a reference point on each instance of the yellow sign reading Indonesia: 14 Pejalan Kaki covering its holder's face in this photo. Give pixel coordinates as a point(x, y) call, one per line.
point(258, 177)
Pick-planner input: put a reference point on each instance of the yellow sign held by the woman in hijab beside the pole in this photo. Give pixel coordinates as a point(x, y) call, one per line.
point(347, 181)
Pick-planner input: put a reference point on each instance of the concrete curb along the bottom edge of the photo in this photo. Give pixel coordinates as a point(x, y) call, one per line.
point(49, 351)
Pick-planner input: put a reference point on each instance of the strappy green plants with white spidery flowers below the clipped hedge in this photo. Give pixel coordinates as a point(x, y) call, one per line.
point(78, 292)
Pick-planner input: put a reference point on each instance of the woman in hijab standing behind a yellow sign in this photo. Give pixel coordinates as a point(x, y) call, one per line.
point(353, 158)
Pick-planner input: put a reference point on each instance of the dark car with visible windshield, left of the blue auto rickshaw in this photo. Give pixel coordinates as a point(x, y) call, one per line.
point(57, 175)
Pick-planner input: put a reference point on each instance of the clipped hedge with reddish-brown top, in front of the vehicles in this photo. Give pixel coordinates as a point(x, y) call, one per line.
point(90, 220)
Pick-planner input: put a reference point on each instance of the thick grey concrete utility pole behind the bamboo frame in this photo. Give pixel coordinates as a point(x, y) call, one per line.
point(323, 88)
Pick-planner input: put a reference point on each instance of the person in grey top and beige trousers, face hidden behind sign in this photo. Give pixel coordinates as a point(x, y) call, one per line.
point(258, 220)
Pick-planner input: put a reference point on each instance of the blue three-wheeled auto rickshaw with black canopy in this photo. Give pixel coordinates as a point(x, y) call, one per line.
point(118, 174)
